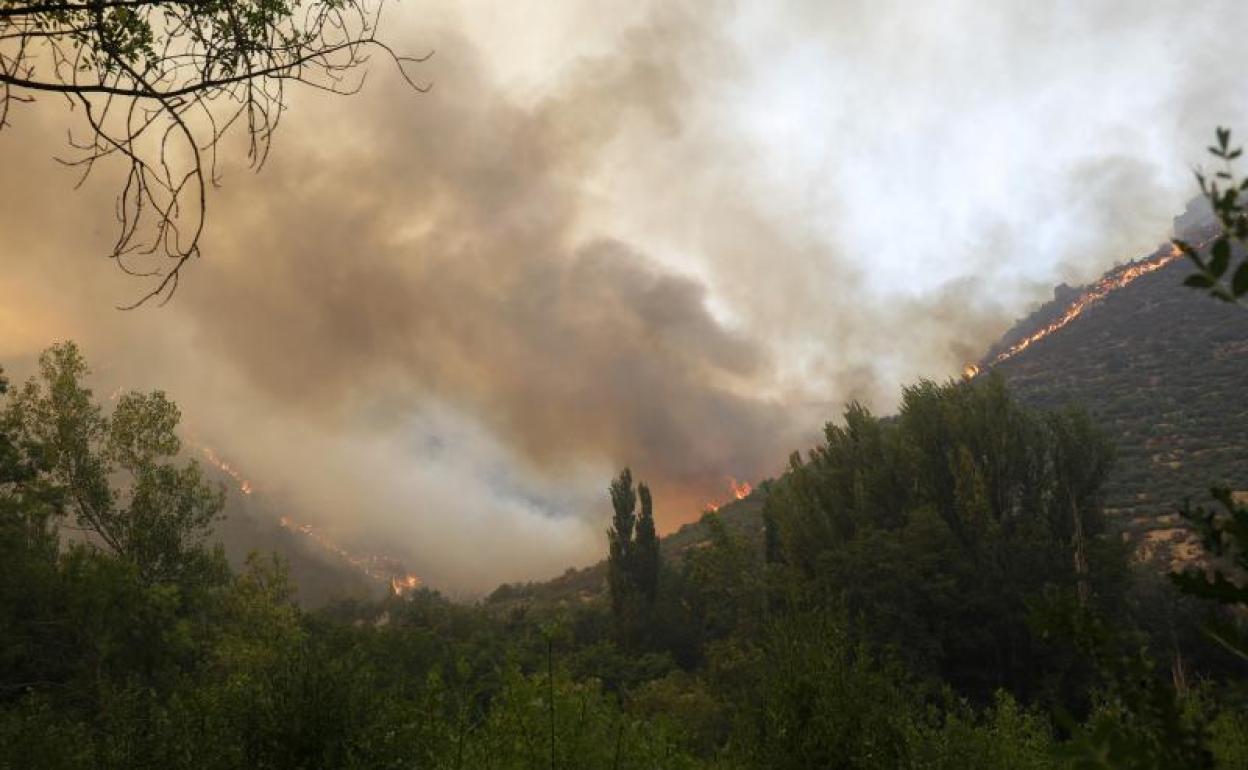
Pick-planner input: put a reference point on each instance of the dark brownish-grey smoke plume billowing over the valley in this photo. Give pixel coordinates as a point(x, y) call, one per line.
point(449, 268)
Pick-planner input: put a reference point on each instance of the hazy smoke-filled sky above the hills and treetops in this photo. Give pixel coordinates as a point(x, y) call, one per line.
point(675, 236)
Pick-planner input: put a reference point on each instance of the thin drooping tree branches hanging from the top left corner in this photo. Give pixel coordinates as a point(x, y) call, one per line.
point(159, 84)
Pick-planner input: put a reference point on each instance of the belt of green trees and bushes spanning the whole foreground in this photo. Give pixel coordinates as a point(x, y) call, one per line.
point(935, 592)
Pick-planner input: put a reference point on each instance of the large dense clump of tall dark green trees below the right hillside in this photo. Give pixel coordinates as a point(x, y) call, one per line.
point(942, 526)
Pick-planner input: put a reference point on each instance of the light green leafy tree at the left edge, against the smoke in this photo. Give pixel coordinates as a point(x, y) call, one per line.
point(114, 475)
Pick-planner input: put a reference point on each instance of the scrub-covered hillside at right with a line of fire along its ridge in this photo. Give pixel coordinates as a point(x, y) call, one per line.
point(1161, 368)
